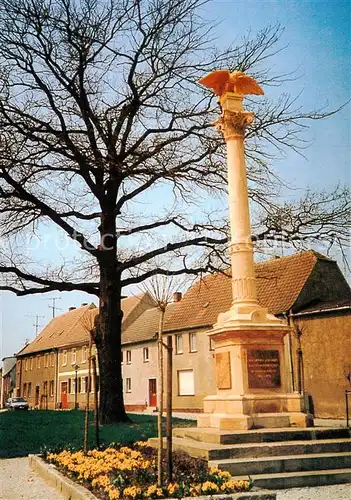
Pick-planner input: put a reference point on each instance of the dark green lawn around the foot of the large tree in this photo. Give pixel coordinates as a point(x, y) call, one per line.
point(22, 433)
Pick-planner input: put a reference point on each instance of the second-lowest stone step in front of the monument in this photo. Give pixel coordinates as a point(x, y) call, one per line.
point(289, 463)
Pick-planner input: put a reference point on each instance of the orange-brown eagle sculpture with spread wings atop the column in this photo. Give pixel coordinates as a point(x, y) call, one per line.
point(223, 81)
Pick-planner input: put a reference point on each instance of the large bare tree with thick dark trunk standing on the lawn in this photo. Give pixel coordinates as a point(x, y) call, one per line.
point(100, 109)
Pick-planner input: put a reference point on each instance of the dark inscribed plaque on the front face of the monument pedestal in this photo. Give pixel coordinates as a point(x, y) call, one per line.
point(263, 368)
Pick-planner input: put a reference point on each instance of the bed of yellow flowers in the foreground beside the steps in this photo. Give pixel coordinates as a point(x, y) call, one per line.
point(130, 474)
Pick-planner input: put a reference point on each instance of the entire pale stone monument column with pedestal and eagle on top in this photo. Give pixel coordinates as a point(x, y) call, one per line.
point(251, 369)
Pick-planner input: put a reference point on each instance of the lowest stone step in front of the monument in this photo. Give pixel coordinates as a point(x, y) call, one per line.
point(300, 479)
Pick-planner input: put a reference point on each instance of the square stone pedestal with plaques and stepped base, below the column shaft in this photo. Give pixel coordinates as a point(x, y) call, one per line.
point(251, 375)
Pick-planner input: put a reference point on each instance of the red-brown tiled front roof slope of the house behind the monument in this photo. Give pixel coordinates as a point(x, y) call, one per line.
point(279, 283)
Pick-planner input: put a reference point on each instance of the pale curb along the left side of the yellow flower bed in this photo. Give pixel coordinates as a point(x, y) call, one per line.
point(68, 488)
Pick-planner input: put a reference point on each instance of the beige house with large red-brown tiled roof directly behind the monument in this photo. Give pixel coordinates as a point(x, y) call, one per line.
point(296, 287)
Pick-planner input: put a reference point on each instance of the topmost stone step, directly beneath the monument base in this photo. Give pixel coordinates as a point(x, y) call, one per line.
point(214, 436)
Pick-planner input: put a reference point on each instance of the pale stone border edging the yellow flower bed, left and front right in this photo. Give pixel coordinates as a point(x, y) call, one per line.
point(73, 491)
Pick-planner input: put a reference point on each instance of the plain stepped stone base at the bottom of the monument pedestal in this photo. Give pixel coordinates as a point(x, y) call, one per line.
point(254, 411)
